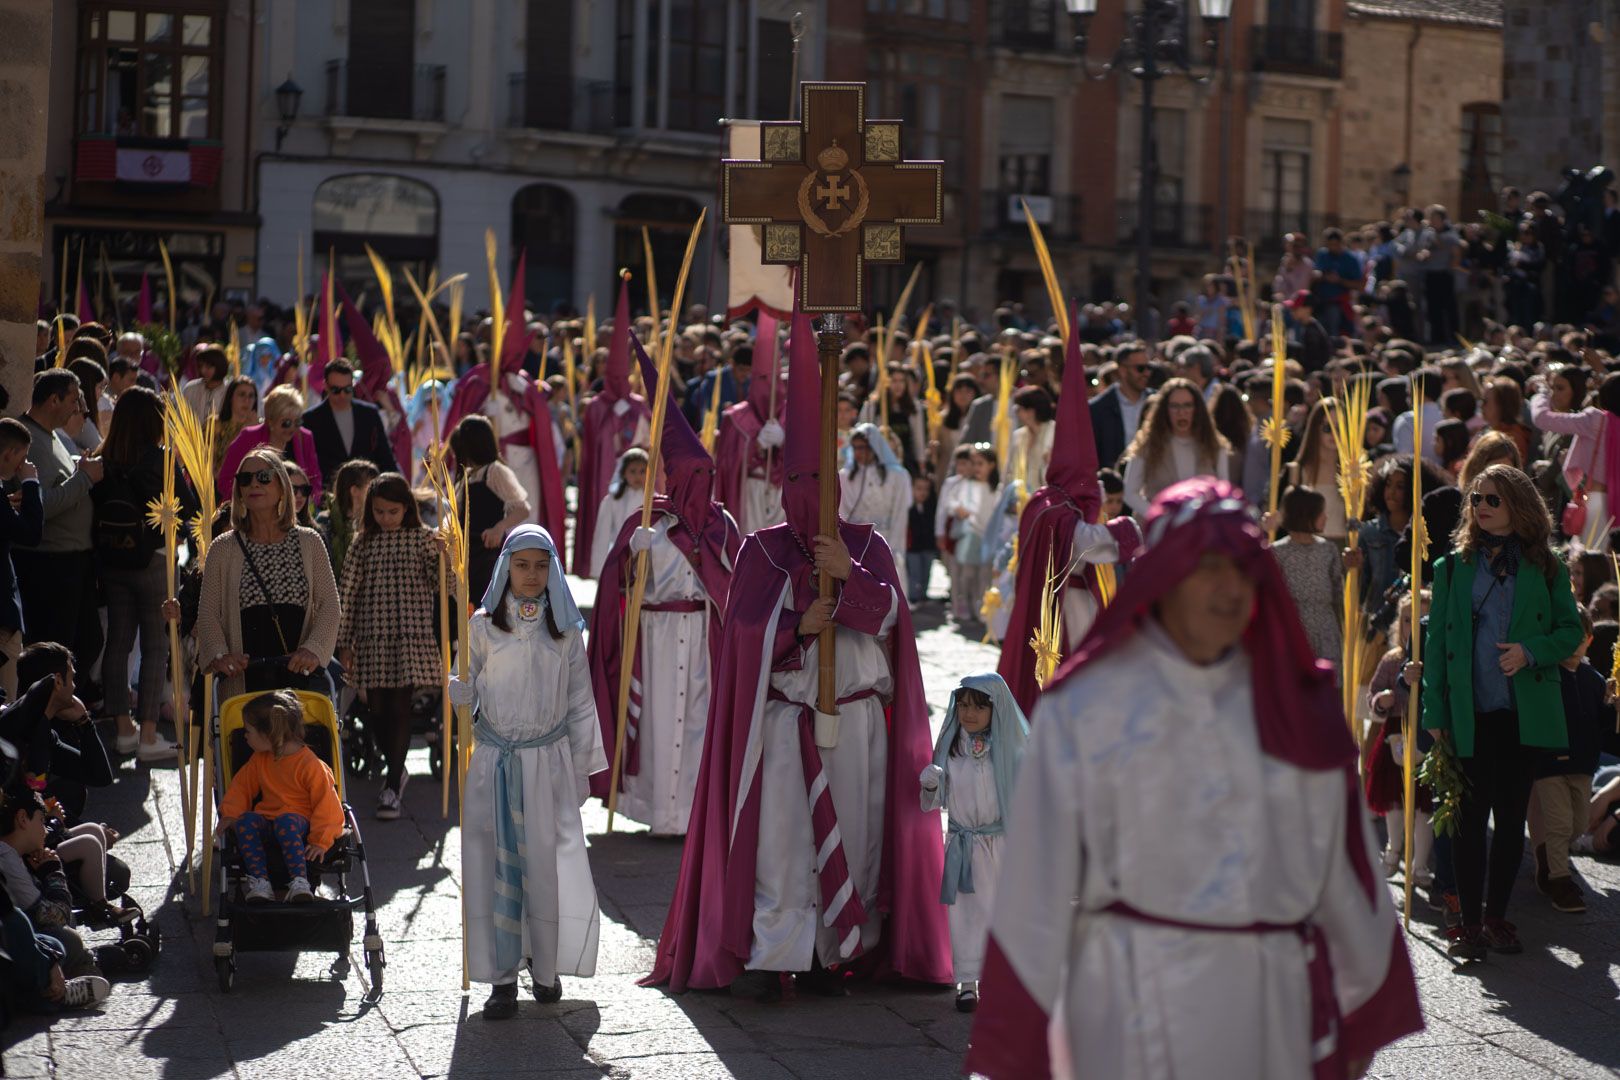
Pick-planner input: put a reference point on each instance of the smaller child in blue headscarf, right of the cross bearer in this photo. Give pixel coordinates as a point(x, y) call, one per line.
point(971, 776)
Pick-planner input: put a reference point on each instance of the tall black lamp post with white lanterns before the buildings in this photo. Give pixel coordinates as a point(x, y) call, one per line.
point(1153, 49)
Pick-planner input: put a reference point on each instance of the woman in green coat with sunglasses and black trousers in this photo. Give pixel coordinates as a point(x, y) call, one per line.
point(1501, 623)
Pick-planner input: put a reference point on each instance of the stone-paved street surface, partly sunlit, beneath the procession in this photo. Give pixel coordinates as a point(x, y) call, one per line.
point(1551, 1013)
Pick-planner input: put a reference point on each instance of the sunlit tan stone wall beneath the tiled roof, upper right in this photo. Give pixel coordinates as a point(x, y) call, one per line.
point(1449, 67)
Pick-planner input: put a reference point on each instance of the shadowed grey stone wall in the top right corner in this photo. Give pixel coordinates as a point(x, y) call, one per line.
point(1556, 66)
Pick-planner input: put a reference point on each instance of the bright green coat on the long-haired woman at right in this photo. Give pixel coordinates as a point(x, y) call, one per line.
point(1545, 621)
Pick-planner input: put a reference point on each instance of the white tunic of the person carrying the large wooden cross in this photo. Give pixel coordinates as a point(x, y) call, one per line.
point(788, 930)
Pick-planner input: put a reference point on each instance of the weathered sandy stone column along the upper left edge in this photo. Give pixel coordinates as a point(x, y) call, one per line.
point(25, 95)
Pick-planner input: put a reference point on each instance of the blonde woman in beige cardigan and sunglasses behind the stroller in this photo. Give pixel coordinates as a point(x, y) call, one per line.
point(268, 587)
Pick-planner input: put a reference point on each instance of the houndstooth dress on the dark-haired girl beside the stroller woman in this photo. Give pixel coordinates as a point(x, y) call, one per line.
point(391, 593)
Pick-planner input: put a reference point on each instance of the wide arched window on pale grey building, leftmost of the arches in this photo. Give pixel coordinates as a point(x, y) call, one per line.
point(398, 216)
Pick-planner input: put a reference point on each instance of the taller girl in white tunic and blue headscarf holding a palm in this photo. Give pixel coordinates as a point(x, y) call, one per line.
point(531, 896)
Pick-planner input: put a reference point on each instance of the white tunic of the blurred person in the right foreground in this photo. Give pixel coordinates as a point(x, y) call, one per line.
point(1145, 783)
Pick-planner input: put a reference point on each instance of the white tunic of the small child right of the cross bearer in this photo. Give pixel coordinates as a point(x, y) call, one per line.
point(971, 801)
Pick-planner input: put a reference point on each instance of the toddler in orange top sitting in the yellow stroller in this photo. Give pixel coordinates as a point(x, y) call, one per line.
point(284, 791)
